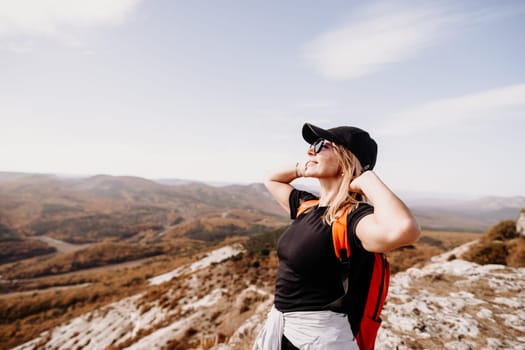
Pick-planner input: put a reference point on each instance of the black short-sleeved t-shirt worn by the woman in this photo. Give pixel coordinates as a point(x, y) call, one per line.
point(309, 273)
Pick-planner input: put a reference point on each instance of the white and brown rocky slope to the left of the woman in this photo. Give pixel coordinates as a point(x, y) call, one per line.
point(194, 306)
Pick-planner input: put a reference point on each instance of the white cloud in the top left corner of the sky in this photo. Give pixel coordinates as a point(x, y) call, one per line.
point(55, 19)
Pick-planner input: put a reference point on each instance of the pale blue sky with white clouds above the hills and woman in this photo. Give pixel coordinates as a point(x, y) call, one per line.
point(219, 90)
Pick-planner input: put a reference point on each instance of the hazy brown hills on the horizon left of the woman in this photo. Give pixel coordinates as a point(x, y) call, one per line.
point(91, 209)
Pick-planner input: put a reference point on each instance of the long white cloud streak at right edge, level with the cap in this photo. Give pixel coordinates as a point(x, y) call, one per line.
point(494, 103)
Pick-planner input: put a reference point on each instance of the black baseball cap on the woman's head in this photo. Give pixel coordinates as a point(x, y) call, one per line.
point(353, 139)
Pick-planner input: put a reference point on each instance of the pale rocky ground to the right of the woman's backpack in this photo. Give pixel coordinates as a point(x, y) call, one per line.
point(452, 304)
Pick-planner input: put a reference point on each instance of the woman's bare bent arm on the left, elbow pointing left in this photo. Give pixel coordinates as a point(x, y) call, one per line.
point(278, 184)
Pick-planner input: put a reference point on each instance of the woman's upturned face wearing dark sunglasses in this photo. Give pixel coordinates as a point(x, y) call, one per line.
point(324, 163)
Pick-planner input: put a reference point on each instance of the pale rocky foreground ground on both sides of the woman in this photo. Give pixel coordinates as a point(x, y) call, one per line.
point(220, 304)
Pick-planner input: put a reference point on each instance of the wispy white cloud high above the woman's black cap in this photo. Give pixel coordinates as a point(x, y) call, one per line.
point(383, 34)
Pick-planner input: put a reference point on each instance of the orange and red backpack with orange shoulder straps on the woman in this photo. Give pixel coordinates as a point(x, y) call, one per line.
point(365, 328)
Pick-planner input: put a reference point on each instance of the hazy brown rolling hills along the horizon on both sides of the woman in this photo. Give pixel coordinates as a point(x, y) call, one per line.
point(126, 208)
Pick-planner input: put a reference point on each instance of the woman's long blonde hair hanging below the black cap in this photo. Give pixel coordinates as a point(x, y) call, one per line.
point(350, 168)
